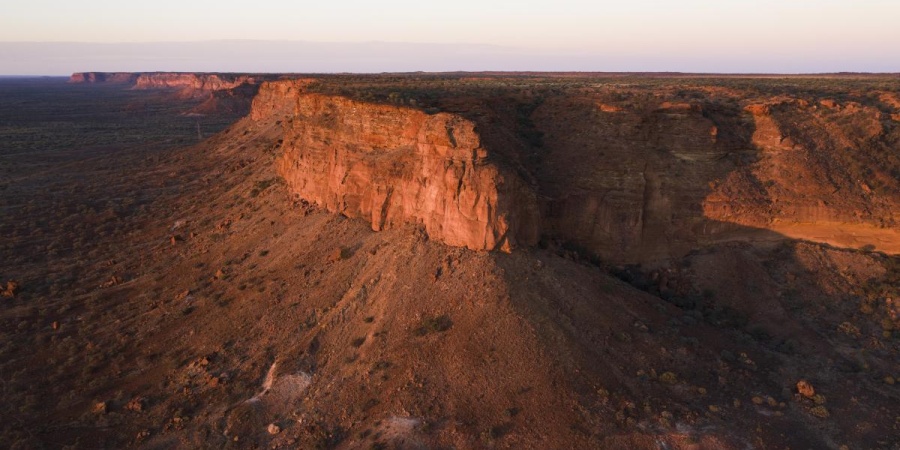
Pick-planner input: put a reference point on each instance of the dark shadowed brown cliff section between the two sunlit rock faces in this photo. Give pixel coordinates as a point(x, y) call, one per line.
point(625, 180)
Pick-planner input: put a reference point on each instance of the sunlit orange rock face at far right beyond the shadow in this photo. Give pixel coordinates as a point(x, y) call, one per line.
point(818, 164)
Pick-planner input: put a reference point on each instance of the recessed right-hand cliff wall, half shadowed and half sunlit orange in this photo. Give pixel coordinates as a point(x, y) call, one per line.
point(635, 178)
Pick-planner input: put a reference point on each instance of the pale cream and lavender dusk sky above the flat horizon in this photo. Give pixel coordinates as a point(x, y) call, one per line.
point(722, 36)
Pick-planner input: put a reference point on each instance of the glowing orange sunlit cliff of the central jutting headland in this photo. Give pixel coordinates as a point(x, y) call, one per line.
point(392, 165)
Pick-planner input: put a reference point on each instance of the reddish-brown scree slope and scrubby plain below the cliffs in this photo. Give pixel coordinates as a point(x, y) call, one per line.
point(173, 294)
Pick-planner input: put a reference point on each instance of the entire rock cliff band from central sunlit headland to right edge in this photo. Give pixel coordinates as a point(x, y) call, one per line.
point(629, 177)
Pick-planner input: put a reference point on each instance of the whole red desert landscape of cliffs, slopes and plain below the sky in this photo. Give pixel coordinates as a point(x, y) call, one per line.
point(469, 260)
